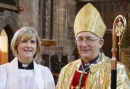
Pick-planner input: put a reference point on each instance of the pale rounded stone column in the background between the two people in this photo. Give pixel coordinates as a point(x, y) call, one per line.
point(61, 22)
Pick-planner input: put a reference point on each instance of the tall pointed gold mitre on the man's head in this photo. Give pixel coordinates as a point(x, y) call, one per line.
point(89, 19)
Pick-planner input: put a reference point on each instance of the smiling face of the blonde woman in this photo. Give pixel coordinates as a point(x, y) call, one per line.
point(26, 50)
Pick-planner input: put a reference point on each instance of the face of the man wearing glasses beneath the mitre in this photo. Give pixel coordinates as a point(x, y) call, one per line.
point(88, 45)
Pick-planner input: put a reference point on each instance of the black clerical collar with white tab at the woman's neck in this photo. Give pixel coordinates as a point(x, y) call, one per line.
point(25, 66)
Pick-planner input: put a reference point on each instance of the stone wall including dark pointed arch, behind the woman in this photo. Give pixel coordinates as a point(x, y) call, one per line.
point(11, 20)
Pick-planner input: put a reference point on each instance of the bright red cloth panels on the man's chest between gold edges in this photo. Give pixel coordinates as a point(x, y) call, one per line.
point(75, 80)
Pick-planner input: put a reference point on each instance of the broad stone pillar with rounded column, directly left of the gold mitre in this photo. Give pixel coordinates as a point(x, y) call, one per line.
point(65, 19)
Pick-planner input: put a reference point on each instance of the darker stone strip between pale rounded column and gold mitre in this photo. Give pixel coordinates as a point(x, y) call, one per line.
point(70, 47)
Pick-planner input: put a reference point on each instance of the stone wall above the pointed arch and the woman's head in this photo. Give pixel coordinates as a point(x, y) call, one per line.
point(28, 17)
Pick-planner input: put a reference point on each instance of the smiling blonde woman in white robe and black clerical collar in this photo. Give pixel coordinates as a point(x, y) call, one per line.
point(23, 72)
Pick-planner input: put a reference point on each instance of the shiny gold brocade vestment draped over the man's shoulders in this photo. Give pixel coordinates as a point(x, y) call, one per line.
point(99, 78)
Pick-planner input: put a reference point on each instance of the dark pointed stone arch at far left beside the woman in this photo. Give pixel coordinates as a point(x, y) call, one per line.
point(10, 26)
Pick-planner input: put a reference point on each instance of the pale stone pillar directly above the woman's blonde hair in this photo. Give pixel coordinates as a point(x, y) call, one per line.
point(29, 17)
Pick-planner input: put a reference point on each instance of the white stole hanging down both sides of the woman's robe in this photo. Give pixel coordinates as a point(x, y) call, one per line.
point(13, 75)
